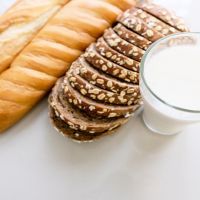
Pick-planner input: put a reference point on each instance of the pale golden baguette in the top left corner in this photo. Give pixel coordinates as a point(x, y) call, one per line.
point(21, 23)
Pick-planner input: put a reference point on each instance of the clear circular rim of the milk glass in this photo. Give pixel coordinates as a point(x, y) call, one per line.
point(142, 66)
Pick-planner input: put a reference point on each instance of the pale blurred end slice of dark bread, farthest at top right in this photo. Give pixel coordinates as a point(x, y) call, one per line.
point(164, 15)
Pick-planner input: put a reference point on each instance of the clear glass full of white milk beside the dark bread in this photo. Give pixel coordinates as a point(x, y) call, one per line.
point(170, 83)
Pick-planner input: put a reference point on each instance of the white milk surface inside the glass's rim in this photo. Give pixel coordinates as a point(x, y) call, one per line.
point(174, 75)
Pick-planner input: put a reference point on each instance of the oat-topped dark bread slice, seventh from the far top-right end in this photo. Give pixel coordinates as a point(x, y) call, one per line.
point(102, 80)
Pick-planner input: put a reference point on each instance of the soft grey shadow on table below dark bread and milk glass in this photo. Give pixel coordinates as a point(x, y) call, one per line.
point(133, 136)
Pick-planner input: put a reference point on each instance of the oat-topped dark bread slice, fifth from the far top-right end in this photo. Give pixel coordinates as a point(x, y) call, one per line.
point(106, 51)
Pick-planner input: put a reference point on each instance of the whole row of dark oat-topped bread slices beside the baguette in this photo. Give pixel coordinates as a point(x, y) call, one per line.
point(101, 90)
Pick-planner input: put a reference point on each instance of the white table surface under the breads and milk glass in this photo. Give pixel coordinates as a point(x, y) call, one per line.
point(36, 163)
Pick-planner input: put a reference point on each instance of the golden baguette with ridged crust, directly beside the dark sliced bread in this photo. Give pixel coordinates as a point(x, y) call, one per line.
point(36, 69)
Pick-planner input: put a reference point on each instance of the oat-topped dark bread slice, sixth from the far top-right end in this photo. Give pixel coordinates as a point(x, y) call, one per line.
point(103, 64)
